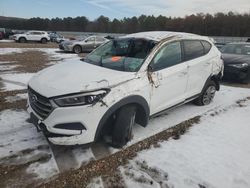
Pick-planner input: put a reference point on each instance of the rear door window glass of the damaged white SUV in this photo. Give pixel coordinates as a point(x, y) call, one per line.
point(193, 49)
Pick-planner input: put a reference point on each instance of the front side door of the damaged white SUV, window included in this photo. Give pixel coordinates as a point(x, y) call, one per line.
point(168, 77)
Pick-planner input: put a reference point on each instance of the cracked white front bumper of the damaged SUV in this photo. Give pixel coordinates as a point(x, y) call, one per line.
point(87, 116)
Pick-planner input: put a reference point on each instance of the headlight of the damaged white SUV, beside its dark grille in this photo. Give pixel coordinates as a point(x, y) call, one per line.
point(81, 99)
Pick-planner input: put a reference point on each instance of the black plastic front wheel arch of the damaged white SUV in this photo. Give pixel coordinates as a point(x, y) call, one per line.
point(142, 112)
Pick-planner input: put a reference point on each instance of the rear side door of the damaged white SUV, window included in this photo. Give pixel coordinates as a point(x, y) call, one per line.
point(196, 55)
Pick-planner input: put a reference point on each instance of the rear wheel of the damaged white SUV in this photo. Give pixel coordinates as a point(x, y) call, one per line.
point(207, 94)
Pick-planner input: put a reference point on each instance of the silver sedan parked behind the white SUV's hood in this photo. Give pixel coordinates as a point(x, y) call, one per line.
point(84, 44)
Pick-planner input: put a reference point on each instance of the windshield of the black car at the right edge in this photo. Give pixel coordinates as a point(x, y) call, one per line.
point(242, 49)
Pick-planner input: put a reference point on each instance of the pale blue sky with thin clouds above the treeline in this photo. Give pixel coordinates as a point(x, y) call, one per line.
point(92, 9)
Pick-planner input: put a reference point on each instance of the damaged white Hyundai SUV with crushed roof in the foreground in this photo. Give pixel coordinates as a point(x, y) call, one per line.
point(123, 82)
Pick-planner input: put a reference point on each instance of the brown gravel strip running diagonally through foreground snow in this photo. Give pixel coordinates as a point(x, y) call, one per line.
point(106, 167)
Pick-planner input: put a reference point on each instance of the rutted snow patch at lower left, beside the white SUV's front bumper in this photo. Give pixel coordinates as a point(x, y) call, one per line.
point(21, 143)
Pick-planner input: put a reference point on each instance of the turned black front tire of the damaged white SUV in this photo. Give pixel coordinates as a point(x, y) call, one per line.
point(122, 130)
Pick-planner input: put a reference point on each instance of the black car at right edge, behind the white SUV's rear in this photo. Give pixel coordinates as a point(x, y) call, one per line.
point(236, 58)
